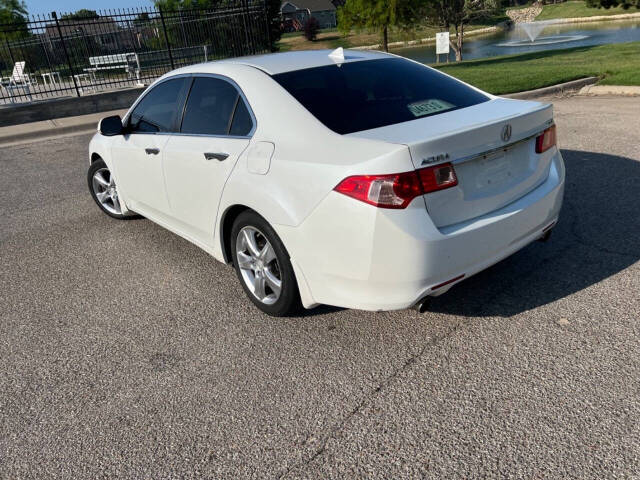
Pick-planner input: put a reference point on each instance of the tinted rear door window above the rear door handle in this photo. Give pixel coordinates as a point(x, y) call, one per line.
point(209, 107)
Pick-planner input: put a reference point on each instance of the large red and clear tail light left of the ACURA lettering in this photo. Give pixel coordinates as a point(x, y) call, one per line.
point(398, 189)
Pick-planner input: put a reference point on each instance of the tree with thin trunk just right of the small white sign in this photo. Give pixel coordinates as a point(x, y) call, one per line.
point(457, 14)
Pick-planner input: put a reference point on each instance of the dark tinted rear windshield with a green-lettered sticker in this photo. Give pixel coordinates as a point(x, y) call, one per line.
point(369, 94)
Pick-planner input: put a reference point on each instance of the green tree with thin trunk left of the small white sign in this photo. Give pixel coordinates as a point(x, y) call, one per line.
point(379, 15)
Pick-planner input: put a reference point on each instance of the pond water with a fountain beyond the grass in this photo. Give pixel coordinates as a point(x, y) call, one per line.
point(494, 44)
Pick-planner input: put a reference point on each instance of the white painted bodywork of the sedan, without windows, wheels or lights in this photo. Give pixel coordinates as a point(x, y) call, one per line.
point(345, 252)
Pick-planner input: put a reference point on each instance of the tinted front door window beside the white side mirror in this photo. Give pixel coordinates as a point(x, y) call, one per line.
point(156, 112)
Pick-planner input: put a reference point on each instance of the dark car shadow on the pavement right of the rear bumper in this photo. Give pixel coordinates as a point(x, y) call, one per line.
point(598, 235)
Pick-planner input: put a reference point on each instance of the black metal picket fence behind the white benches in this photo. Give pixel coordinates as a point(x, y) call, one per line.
point(59, 55)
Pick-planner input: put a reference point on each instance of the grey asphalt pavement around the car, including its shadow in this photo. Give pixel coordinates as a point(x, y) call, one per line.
point(126, 352)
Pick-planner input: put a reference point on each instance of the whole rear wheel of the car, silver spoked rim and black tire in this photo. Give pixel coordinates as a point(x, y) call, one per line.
point(263, 266)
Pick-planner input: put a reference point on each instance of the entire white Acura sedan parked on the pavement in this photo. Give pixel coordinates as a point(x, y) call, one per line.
point(348, 178)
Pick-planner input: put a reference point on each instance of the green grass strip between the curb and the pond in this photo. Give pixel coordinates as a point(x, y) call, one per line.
point(617, 64)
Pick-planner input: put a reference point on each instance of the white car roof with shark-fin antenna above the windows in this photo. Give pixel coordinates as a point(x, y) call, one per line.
point(275, 63)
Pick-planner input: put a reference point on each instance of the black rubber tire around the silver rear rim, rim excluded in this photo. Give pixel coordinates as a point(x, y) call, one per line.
point(288, 302)
